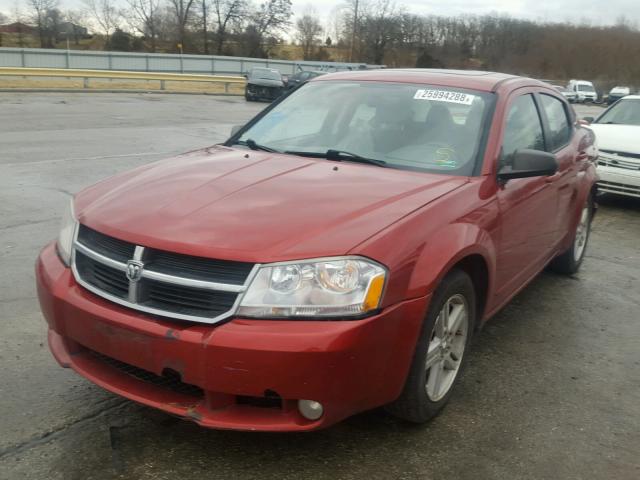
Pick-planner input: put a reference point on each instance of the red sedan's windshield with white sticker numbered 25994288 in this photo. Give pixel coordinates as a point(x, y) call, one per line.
point(417, 127)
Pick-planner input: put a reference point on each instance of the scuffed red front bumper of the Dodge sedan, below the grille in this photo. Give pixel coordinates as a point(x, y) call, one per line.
point(348, 366)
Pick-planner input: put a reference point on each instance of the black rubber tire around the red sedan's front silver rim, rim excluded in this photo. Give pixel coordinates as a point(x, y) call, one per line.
point(414, 404)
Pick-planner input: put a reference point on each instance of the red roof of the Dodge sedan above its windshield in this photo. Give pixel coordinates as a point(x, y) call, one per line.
point(472, 79)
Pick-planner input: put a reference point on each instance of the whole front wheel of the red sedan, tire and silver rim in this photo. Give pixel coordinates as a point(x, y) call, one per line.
point(440, 352)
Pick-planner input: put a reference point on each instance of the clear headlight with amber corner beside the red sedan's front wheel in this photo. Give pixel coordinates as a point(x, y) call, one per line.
point(344, 286)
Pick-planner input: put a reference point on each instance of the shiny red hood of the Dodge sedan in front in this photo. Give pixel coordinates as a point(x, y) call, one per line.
point(255, 206)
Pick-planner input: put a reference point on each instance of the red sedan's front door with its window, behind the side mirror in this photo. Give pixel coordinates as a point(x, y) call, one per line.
point(527, 205)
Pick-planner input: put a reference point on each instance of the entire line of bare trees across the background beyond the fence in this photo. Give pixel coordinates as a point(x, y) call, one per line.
point(371, 31)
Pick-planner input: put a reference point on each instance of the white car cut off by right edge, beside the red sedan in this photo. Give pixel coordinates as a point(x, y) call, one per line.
point(617, 131)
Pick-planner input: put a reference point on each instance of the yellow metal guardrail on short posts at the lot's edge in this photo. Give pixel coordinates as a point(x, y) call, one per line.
point(121, 75)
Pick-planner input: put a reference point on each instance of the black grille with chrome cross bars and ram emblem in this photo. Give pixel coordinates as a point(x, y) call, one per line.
point(161, 283)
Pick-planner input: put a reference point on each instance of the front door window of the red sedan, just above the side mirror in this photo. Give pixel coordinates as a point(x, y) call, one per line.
point(523, 130)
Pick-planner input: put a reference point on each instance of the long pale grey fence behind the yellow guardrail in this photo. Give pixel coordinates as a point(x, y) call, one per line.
point(157, 62)
